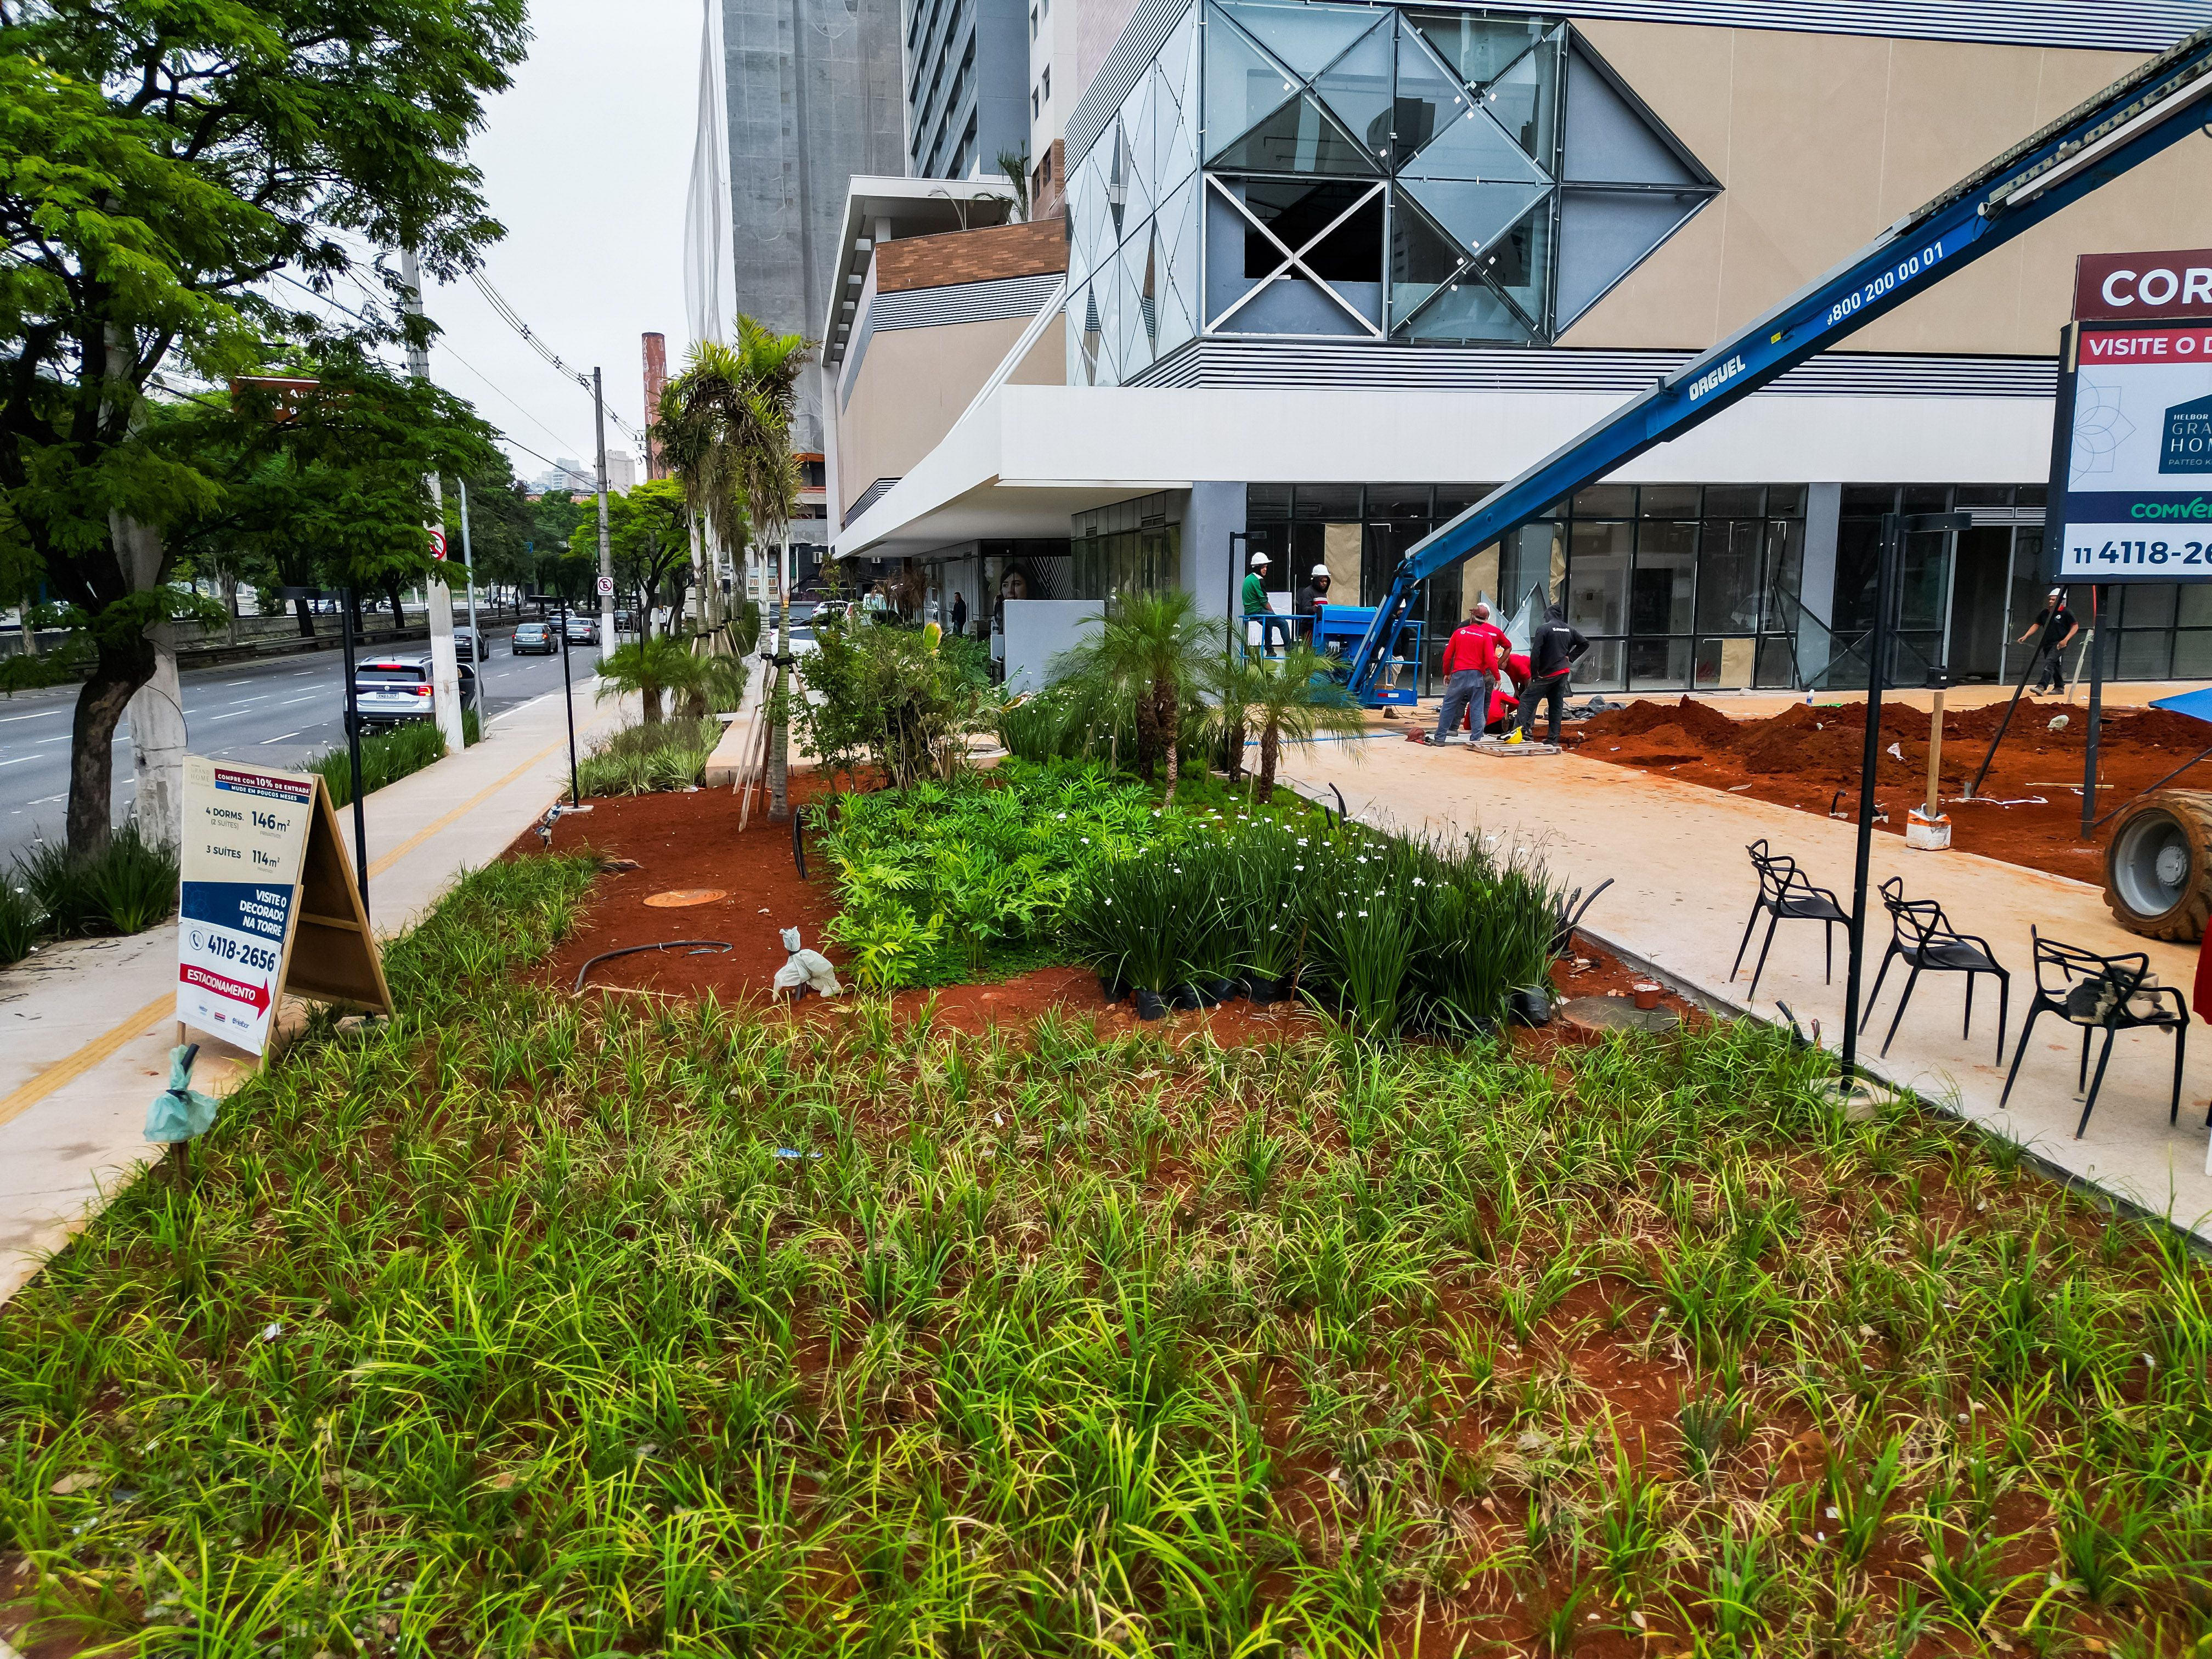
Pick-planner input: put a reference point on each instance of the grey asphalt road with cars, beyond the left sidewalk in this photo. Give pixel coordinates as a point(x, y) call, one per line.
point(278, 713)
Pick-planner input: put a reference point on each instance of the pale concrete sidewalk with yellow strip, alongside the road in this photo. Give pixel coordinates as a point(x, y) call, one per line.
point(87, 1025)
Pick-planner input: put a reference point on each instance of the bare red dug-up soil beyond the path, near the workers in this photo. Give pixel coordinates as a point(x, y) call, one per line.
point(1808, 758)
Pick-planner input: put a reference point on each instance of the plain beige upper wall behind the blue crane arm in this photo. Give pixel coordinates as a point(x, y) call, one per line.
point(1826, 140)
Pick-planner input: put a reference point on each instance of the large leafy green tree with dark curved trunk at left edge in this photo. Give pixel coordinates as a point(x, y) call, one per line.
point(160, 167)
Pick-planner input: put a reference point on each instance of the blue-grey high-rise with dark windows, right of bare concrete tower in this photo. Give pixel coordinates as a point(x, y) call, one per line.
point(966, 87)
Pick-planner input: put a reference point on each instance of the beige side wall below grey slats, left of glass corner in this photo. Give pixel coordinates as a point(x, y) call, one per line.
point(915, 384)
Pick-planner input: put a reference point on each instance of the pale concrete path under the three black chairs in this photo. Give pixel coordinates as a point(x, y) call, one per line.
point(1684, 893)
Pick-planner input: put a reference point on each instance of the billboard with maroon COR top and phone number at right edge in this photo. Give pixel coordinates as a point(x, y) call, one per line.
point(2131, 457)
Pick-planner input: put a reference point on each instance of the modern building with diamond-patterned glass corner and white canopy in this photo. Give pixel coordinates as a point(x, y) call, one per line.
point(1335, 271)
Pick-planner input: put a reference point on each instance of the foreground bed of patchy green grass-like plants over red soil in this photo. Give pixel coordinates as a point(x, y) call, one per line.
point(547, 1328)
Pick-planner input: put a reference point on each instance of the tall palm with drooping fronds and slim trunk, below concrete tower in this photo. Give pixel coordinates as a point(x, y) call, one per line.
point(727, 430)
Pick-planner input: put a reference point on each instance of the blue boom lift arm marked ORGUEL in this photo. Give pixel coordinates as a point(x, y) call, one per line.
point(2122, 127)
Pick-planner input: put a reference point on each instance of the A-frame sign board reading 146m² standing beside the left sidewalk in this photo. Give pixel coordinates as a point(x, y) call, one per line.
point(267, 906)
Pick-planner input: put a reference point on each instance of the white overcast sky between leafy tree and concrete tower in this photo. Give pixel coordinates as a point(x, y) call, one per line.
point(587, 160)
